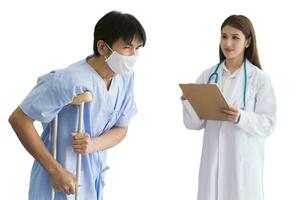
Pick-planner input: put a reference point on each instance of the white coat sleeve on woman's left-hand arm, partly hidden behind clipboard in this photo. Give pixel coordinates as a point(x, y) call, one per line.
point(190, 117)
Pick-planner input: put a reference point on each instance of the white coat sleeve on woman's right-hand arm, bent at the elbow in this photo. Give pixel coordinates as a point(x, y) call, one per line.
point(262, 121)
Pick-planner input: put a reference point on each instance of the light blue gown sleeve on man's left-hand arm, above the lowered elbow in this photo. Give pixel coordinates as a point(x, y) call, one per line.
point(52, 92)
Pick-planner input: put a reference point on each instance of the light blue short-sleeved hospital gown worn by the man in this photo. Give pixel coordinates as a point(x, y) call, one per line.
point(52, 95)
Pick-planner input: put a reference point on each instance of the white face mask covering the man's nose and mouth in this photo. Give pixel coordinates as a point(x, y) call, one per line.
point(120, 64)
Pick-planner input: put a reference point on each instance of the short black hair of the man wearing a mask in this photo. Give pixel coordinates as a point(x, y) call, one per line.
point(116, 25)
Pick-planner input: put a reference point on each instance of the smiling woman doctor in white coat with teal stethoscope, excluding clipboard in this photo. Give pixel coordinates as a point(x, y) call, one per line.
point(233, 150)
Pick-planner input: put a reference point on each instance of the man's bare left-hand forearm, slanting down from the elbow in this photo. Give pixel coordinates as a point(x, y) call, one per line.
point(27, 134)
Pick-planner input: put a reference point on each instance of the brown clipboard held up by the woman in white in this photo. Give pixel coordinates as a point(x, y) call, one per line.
point(206, 99)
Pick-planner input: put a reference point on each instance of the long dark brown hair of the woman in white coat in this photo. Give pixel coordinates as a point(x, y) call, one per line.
point(243, 24)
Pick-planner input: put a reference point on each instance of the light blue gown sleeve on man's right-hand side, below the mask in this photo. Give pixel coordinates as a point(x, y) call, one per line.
point(130, 109)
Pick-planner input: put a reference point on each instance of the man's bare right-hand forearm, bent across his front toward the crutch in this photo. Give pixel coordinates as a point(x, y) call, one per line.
point(111, 138)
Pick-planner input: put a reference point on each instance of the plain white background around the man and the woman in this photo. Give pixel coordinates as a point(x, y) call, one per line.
point(159, 159)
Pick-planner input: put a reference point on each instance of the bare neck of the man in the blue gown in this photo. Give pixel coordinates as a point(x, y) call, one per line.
point(100, 66)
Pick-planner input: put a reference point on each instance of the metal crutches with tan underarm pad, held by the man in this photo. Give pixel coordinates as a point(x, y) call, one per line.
point(79, 100)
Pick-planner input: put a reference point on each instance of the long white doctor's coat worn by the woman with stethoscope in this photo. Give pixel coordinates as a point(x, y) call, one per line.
point(233, 154)
